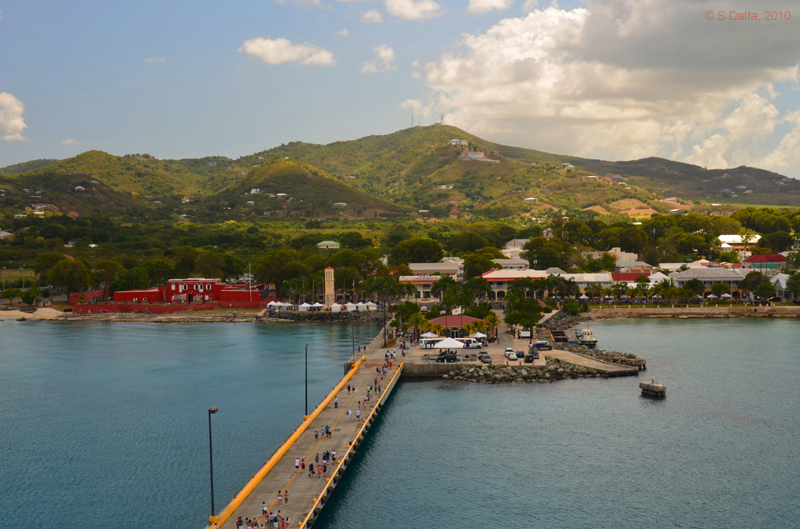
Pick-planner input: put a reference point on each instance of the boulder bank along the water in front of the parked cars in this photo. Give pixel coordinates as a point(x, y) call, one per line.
point(499, 374)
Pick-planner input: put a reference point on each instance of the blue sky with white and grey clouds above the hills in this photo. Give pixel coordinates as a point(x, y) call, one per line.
point(608, 79)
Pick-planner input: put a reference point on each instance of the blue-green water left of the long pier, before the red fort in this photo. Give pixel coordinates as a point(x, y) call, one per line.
point(106, 424)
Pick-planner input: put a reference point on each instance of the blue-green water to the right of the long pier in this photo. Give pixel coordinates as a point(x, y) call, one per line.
point(722, 450)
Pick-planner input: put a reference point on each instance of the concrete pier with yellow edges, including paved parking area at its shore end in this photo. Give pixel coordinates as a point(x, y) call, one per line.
point(308, 495)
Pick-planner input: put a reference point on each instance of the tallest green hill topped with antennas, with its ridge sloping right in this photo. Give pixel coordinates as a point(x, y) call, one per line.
point(410, 167)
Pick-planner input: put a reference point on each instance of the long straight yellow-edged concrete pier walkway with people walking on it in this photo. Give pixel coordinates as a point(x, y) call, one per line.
point(307, 494)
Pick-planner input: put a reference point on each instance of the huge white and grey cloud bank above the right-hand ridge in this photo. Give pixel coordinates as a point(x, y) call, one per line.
point(611, 81)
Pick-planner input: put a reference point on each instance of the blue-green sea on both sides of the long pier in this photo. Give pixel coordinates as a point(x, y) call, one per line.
point(105, 424)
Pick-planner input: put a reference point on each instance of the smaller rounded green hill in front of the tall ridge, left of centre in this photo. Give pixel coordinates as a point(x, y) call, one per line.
point(290, 187)
